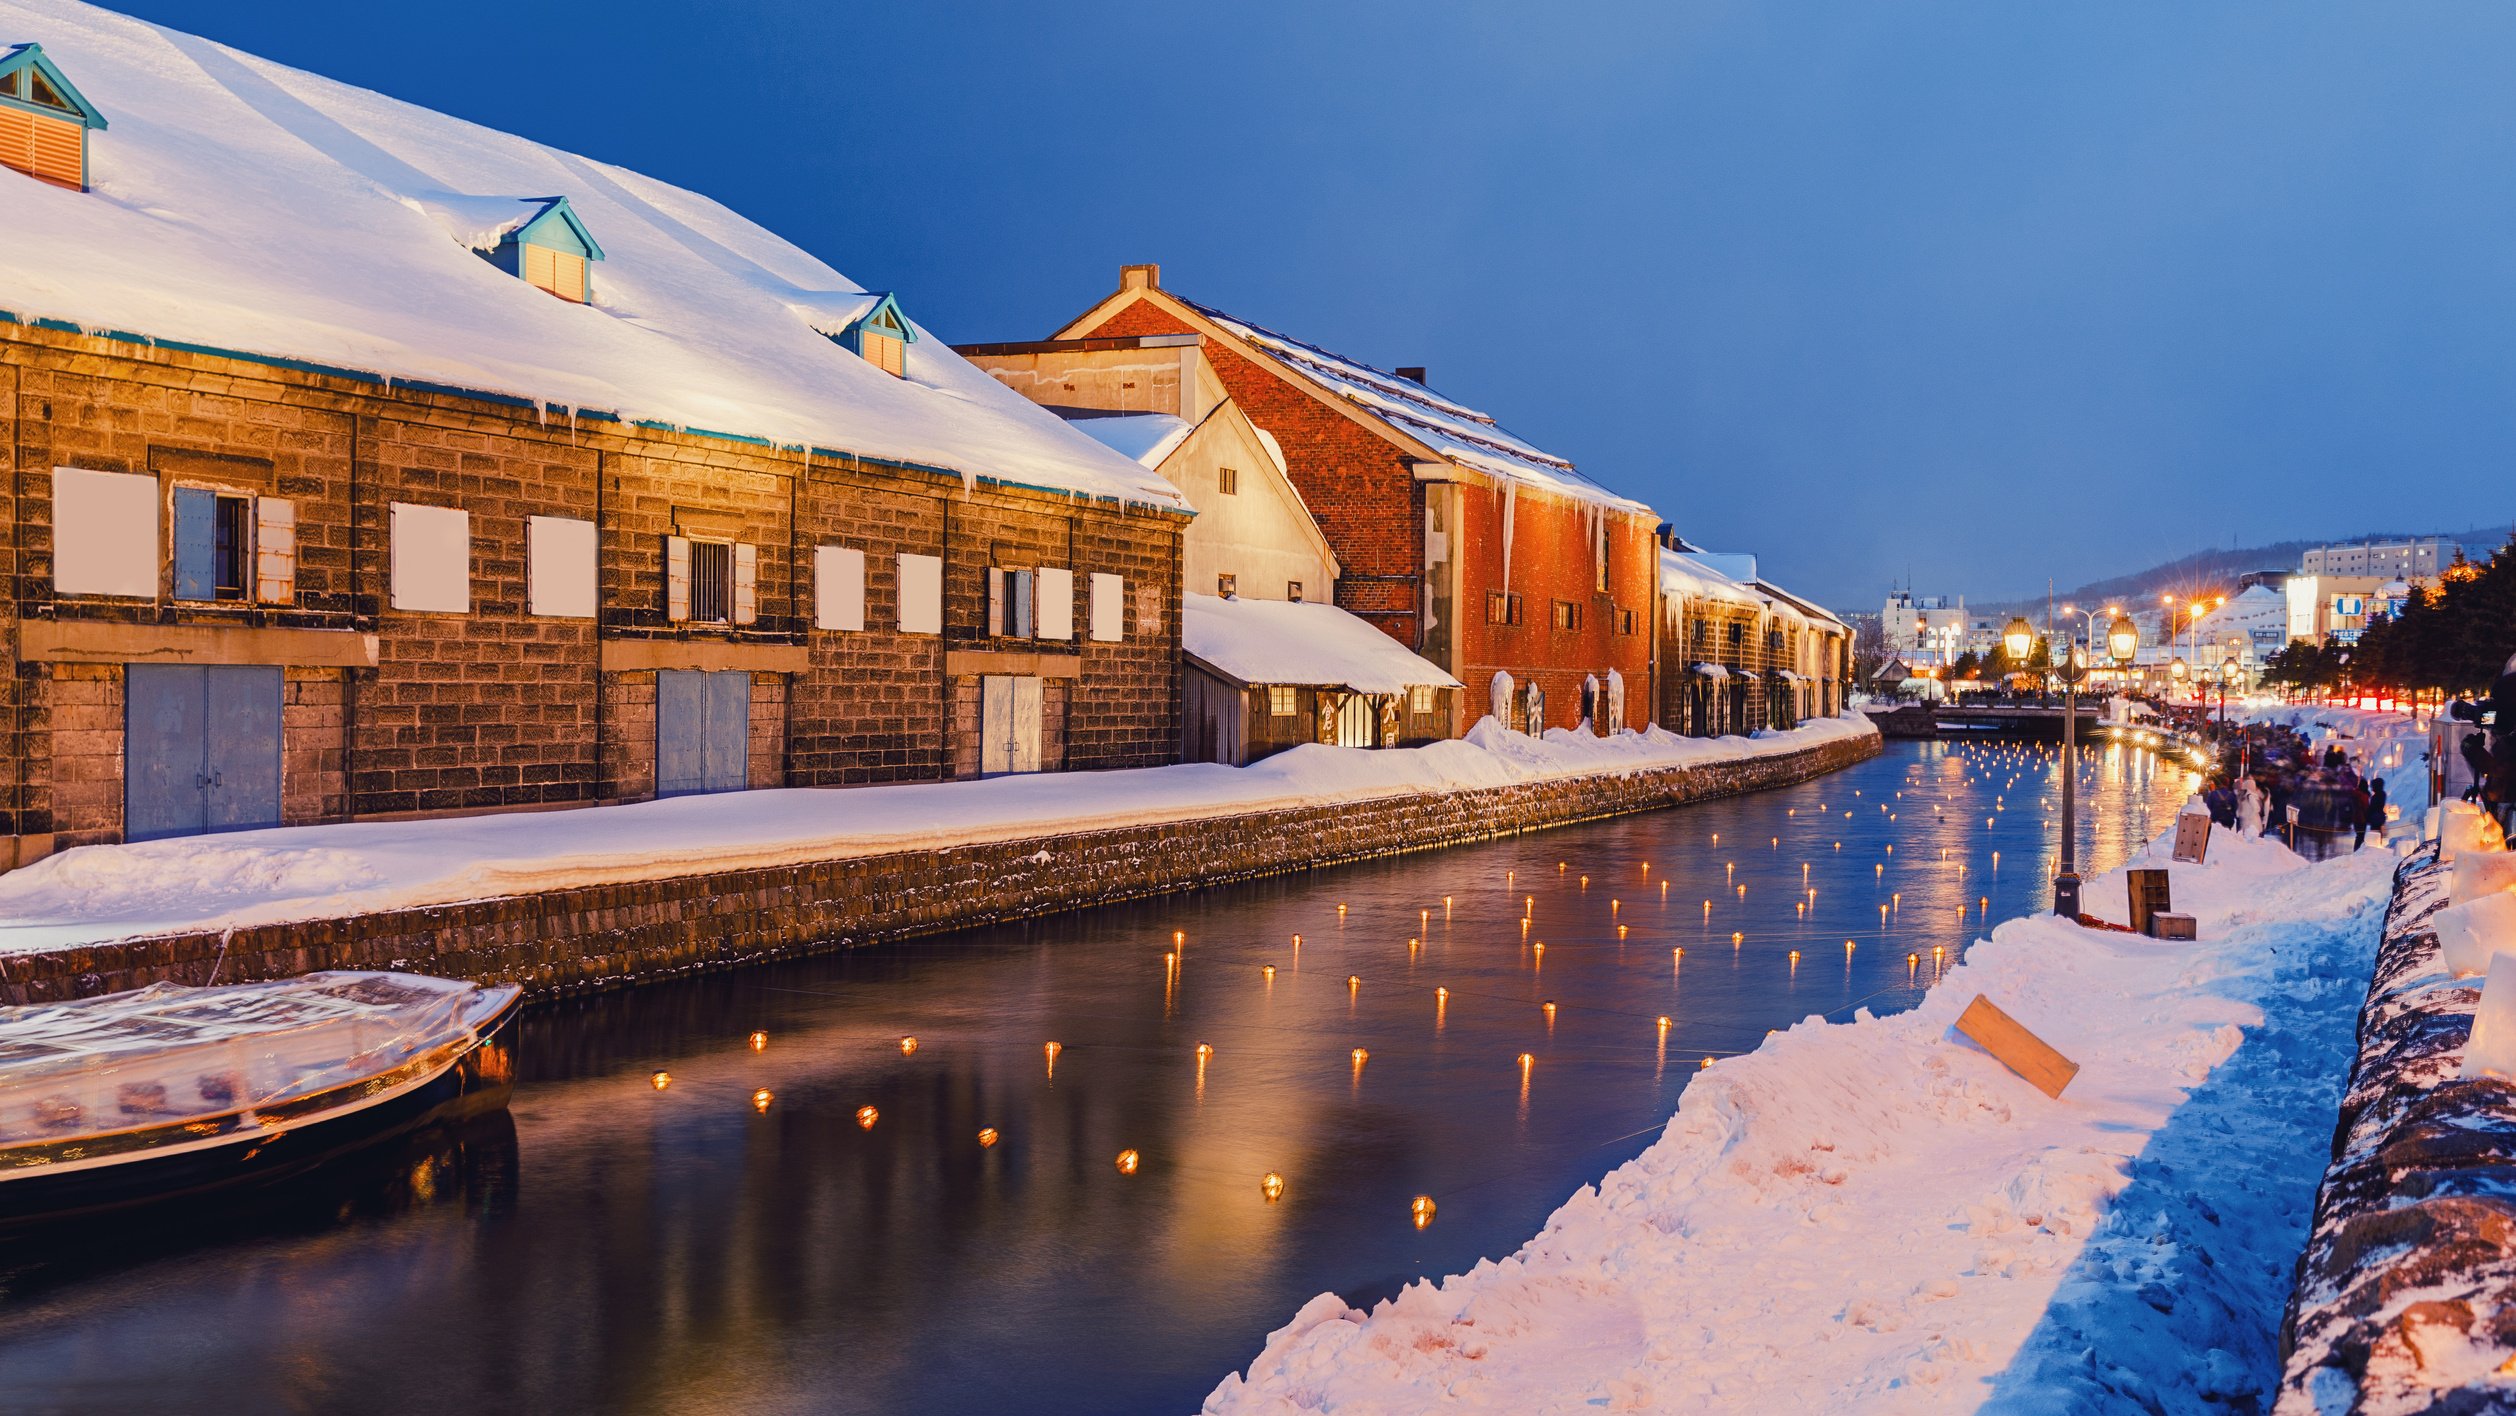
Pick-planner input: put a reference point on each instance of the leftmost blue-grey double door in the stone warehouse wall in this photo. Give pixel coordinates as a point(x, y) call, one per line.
point(200, 748)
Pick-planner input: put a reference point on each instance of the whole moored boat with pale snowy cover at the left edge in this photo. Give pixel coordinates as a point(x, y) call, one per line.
point(172, 1090)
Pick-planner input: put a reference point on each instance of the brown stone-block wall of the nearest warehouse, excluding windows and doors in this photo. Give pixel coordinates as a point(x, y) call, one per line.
point(502, 708)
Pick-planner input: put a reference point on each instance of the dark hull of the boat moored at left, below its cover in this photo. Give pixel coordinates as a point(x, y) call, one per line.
point(474, 1080)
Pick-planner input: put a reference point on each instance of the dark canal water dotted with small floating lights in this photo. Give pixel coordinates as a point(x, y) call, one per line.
point(804, 1216)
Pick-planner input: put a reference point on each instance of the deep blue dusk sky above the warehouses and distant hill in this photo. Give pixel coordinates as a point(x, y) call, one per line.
point(1969, 290)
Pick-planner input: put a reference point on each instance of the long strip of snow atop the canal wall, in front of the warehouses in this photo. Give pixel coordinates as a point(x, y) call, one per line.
point(318, 871)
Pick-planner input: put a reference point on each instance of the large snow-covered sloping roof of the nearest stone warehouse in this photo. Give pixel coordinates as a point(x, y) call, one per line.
point(245, 207)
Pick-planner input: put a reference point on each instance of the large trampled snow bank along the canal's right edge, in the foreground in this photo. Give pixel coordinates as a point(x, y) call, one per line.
point(1878, 1216)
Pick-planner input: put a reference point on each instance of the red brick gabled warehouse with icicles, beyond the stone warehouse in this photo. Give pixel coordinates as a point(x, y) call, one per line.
point(1478, 552)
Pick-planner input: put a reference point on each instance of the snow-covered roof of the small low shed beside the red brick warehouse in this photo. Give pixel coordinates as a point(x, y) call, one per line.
point(1300, 643)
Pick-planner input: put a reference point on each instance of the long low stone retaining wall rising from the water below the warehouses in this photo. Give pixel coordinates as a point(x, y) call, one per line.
point(608, 937)
